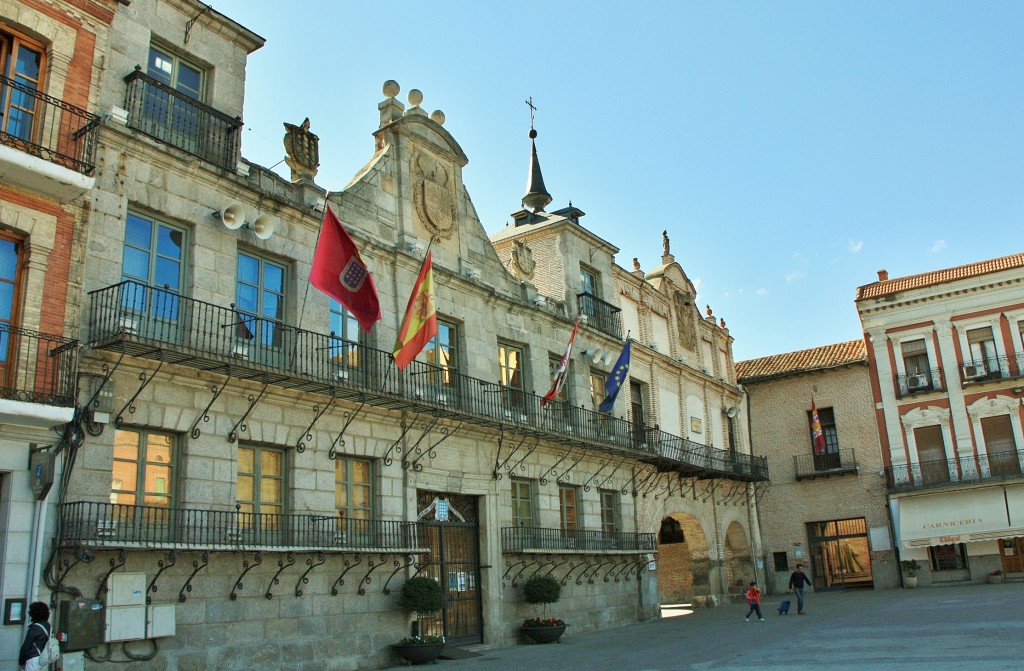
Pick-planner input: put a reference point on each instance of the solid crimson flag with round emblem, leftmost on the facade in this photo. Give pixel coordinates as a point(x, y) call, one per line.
point(339, 272)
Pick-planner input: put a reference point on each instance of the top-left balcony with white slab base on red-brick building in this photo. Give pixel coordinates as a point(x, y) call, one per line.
point(47, 145)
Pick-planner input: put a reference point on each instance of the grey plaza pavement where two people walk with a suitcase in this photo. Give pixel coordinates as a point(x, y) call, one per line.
point(964, 627)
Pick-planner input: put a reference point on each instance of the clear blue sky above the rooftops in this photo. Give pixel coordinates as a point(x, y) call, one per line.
point(791, 149)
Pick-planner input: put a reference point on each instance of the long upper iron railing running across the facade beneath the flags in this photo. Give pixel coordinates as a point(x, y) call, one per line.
point(206, 337)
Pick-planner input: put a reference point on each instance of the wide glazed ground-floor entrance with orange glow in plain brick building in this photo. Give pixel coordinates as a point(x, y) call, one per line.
point(841, 556)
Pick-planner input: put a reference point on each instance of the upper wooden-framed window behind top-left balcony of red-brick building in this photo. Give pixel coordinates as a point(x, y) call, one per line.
point(22, 68)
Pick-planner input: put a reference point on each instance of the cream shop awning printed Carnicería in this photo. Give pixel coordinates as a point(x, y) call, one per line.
point(965, 517)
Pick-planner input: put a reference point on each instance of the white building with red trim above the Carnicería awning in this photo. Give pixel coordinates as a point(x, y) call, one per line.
point(947, 357)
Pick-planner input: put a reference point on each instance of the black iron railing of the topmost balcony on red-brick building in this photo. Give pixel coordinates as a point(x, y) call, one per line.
point(48, 128)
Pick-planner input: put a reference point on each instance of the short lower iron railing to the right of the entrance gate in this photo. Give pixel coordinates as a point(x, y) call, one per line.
point(523, 539)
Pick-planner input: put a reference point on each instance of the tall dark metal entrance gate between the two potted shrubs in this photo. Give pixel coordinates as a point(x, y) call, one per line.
point(450, 528)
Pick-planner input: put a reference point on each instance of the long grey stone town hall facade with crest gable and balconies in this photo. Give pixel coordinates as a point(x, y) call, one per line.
point(247, 476)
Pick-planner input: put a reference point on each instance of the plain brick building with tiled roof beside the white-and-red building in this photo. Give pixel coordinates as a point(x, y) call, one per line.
point(826, 509)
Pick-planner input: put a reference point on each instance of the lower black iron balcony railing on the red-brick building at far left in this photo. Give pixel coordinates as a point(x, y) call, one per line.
point(37, 367)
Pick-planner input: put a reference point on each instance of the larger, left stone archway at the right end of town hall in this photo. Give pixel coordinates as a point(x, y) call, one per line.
point(684, 561)
